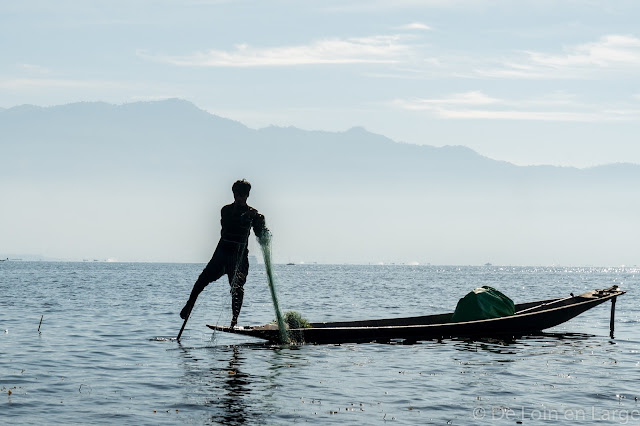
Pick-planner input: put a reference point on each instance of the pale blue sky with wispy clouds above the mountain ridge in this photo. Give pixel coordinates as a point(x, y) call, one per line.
point(526, 81)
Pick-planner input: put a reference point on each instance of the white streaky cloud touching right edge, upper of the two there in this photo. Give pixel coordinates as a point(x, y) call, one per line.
point(611, 53)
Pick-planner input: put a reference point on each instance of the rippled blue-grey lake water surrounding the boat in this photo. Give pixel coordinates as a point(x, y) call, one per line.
point(104, 352)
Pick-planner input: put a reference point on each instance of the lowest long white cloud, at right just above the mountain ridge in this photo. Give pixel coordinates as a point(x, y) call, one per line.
point(552, 107)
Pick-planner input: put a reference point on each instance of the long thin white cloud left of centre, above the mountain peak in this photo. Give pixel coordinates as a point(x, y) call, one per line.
point(384, 49)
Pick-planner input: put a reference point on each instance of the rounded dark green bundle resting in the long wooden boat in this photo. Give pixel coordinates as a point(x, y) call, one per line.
point(483, 303)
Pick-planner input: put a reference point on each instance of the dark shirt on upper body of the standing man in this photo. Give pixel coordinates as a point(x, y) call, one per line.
point(237, 222)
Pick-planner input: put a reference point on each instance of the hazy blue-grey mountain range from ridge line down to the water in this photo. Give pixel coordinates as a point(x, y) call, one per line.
point(131, 170)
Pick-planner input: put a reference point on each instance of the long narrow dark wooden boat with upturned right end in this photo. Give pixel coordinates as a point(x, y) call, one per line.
point(529, 318)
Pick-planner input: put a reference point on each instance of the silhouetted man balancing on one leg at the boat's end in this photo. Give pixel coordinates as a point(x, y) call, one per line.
point(231, 254)
